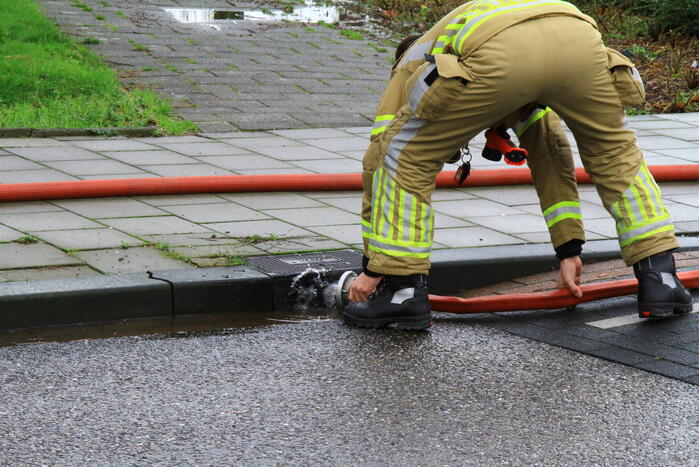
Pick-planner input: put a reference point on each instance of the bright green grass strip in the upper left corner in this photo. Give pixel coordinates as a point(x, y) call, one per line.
point(49, 81)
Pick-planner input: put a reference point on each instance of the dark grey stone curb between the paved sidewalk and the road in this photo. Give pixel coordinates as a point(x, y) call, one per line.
point(241, 288)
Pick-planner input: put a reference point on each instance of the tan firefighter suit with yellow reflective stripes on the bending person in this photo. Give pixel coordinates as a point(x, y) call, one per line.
point(487, 60)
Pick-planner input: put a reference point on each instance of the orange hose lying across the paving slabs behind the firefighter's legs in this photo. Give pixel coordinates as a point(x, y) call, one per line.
point(276, 182)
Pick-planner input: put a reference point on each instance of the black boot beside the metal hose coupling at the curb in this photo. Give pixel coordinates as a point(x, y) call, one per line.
point(401, 301)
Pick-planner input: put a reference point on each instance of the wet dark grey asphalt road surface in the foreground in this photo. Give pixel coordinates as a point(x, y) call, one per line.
point(320, 393)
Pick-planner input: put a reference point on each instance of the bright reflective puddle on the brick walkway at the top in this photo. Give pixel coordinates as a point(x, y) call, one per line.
point(310, 12)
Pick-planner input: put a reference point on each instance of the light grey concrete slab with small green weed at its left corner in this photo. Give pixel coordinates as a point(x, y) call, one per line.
point(88, 239)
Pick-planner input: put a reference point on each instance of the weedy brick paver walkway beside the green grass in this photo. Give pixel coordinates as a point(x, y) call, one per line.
point(243, 76)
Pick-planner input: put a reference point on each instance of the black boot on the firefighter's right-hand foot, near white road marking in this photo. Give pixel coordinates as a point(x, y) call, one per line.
point(660, 292)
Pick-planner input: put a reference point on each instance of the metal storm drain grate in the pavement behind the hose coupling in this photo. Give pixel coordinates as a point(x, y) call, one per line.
point(295, 264)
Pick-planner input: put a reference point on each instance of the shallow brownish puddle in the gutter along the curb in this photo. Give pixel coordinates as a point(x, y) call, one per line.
point(163, 328)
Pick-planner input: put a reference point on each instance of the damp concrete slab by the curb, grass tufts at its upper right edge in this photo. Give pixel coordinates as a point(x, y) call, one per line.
point(131, 260)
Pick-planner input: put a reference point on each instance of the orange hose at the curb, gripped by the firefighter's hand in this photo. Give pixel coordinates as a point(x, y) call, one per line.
point(560, 298)
